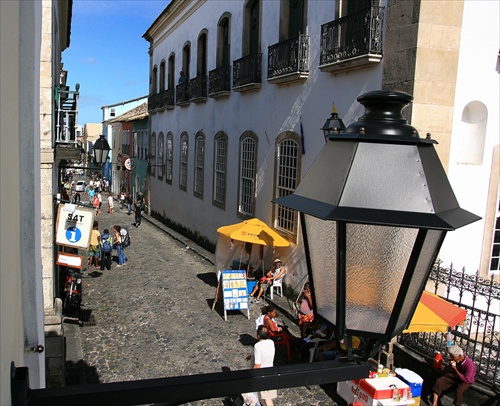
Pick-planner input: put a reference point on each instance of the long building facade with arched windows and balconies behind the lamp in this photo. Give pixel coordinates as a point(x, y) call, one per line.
point(241, 125)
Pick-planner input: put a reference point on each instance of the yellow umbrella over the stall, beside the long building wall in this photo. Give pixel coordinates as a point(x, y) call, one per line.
point(253, 231)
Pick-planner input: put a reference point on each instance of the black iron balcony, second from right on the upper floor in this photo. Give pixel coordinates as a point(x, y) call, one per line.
point(288, 60)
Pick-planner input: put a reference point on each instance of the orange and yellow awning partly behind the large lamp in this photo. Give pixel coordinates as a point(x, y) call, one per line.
point(434, 314)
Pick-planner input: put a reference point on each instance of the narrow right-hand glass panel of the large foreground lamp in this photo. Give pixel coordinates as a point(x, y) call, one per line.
point(431, 246)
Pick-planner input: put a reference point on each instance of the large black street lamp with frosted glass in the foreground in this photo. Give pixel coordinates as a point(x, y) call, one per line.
point(375, 207)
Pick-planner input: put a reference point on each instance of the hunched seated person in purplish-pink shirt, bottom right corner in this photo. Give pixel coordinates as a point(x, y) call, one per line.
point(462, 374)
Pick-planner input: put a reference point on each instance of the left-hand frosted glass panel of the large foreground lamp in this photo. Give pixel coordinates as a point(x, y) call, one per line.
point(322, 244)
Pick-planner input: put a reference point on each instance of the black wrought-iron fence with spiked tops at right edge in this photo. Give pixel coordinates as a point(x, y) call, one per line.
point(479, 336)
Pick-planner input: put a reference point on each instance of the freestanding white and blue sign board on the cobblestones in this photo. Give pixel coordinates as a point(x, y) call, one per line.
point(234, 291)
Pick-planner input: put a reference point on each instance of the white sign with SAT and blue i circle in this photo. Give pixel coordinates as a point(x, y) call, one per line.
point(74, 225)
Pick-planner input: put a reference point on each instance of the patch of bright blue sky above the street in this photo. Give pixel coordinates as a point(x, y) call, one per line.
point(107, 55)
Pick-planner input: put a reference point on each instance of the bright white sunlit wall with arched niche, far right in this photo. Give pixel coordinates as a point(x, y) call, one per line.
point(477, 83)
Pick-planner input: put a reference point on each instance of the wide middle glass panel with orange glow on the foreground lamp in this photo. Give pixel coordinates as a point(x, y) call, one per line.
point(377, 257)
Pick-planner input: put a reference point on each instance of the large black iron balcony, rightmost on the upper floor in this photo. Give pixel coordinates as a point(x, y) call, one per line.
point(353, 41)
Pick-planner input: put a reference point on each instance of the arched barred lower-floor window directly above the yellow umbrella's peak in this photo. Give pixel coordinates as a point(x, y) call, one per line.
point(248, 161)
